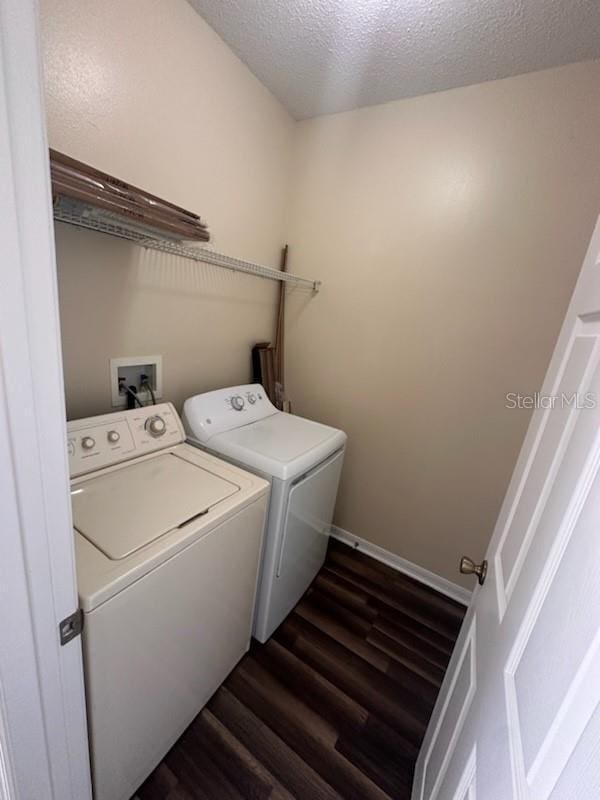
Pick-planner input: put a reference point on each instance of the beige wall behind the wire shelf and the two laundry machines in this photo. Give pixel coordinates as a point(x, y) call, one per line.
point(148, 92)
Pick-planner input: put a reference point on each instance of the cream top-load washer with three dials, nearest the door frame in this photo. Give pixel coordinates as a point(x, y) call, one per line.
point(168, 542)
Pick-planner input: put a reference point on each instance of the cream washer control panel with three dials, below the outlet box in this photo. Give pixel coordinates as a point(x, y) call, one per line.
point(102, 441)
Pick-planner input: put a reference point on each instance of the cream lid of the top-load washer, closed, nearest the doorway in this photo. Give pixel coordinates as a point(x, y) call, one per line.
point(121, 511)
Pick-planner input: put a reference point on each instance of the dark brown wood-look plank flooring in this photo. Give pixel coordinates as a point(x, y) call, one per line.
point(335, 705)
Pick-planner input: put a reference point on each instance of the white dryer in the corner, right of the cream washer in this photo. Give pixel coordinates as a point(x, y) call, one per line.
point(303, 461)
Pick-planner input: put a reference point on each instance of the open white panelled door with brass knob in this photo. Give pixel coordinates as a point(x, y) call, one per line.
point(518, 714)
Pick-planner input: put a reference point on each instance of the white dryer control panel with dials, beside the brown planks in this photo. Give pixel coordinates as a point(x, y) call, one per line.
point(214, 412)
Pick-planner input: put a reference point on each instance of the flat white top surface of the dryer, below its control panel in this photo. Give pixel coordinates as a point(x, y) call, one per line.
point(282, 445)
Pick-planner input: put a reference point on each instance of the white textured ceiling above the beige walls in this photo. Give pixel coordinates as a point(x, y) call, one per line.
point(322, 56)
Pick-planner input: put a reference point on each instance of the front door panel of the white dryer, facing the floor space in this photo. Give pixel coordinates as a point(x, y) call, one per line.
point(306, 528)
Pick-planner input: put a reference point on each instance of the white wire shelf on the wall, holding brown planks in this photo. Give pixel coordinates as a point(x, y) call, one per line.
point(85, 216)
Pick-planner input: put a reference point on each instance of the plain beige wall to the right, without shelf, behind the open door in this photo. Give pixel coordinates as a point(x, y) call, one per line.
point(448, 231)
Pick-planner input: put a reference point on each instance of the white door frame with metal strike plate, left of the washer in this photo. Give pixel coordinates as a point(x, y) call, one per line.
point(43, 734)
